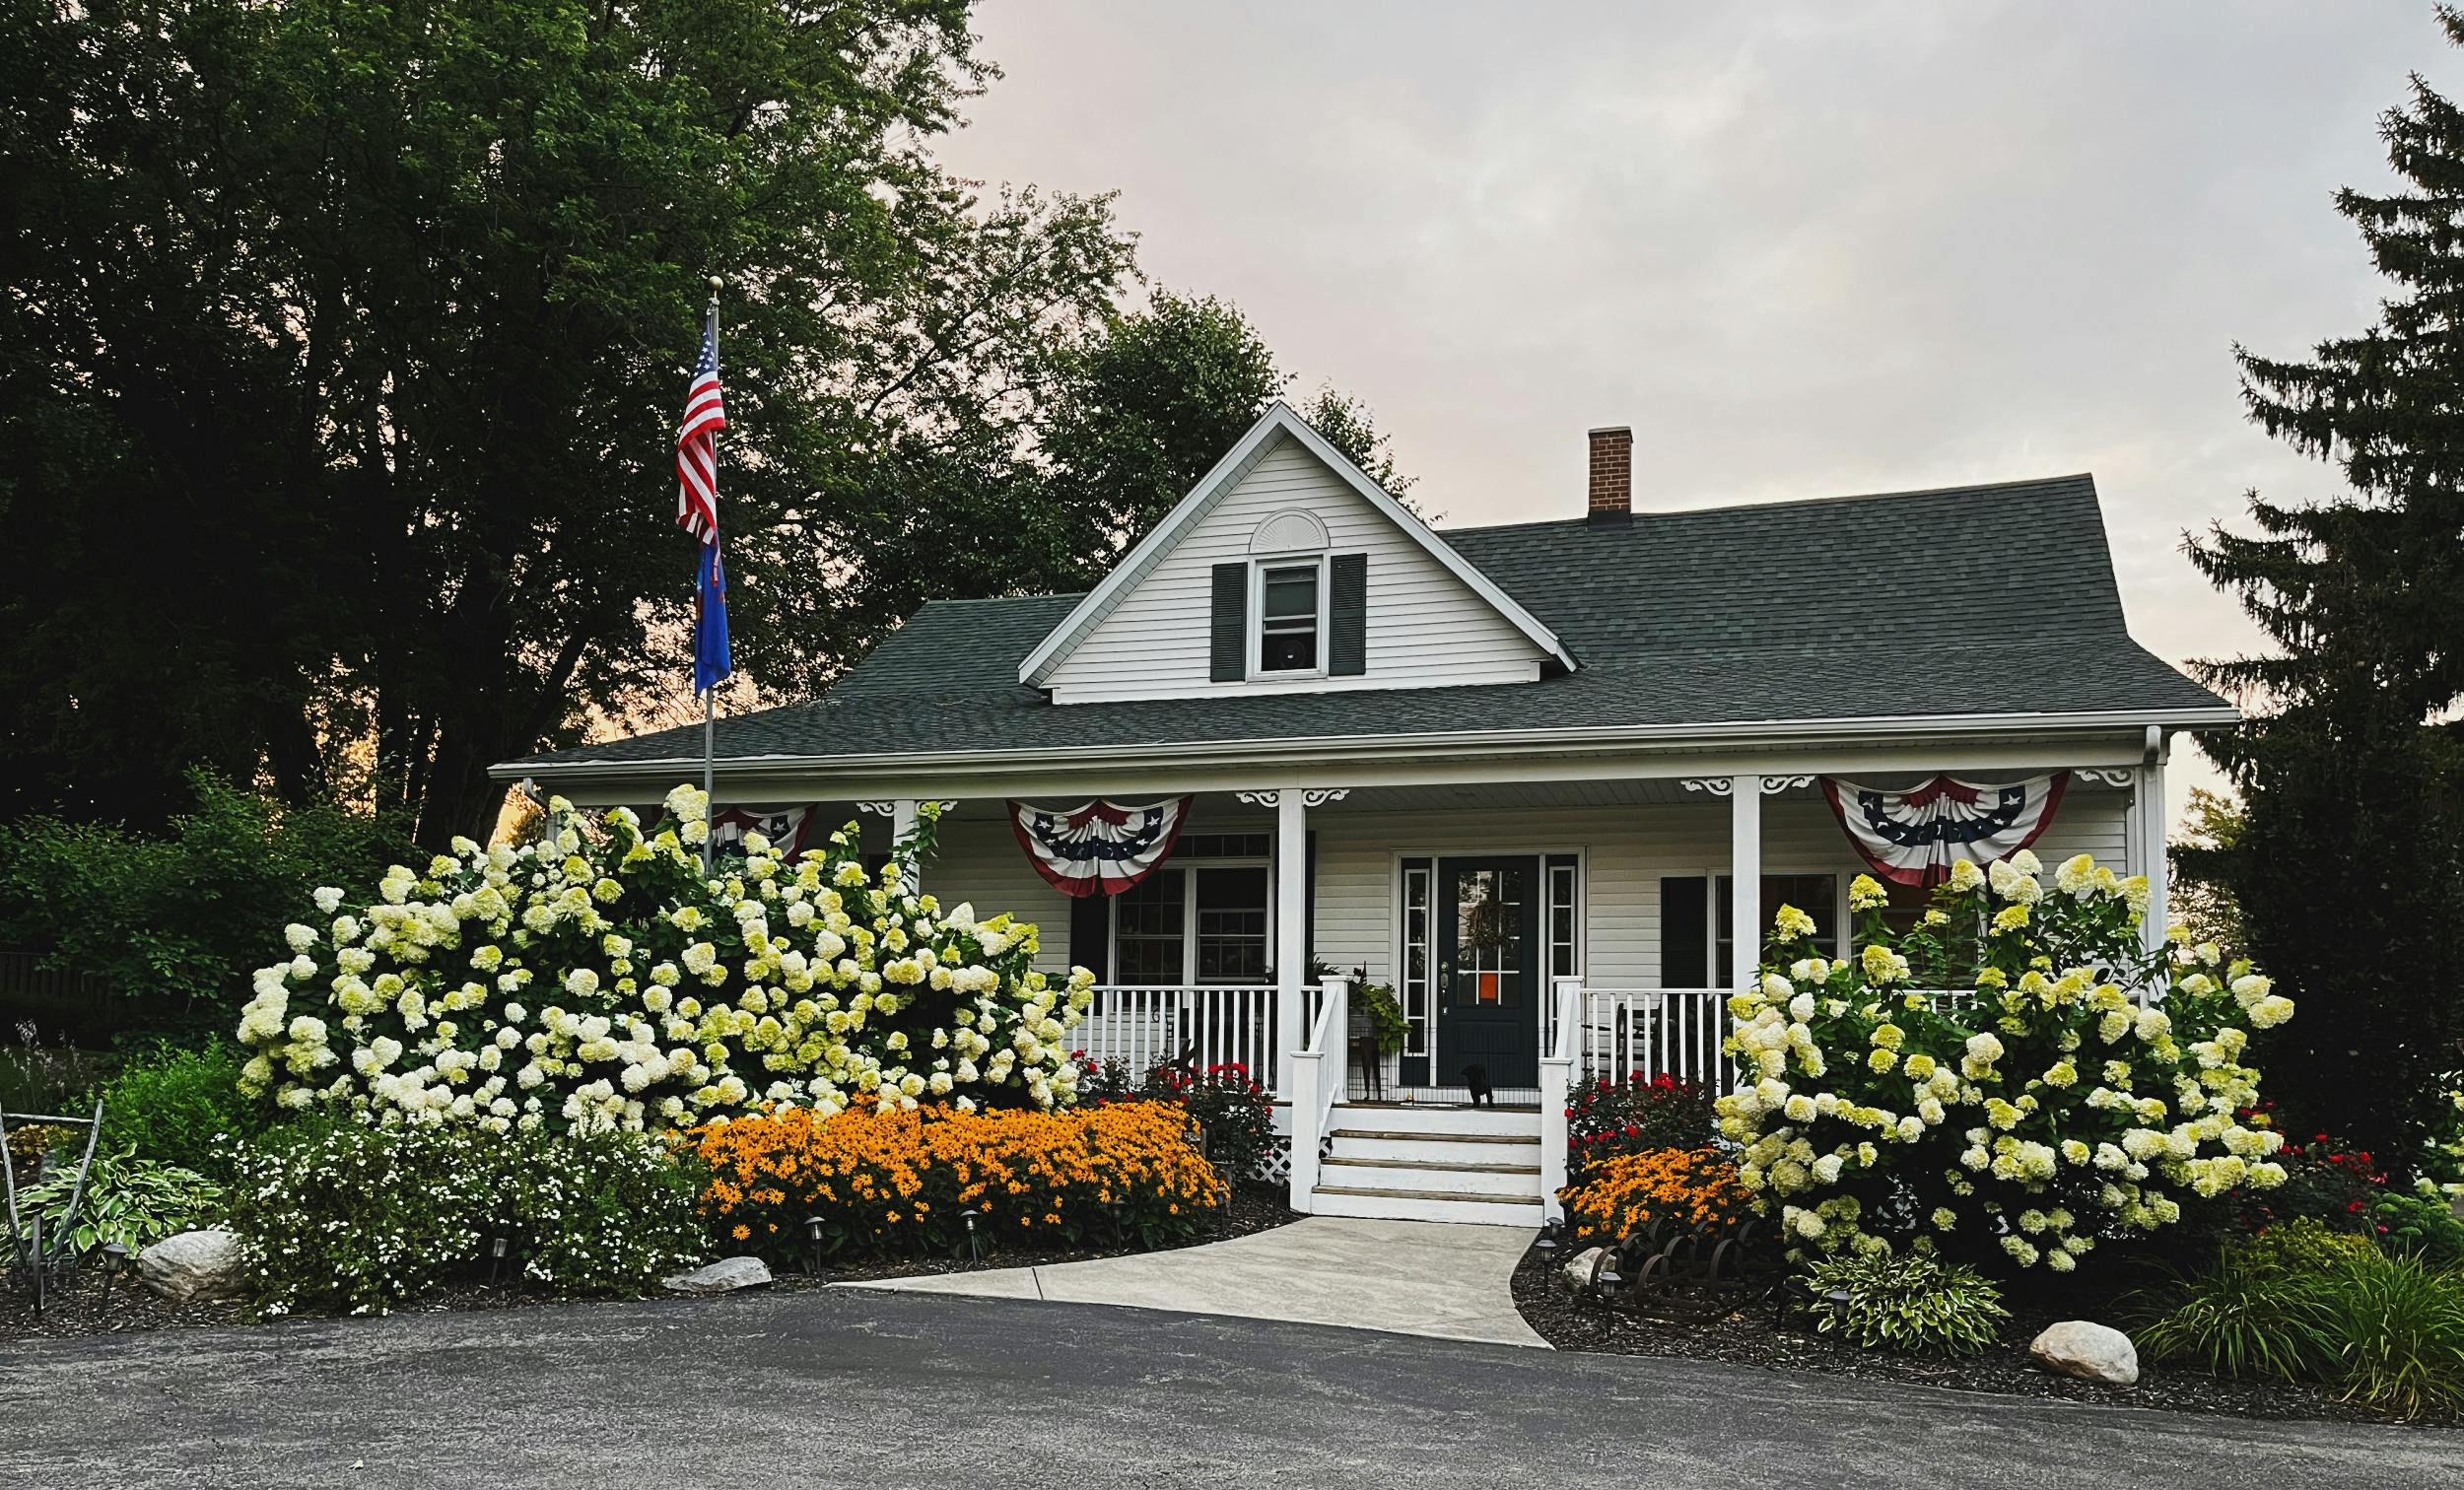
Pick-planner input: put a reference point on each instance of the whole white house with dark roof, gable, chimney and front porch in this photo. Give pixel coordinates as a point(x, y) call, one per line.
point(1512, 772)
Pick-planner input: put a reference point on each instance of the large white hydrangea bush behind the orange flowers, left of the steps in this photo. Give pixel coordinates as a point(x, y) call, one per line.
point(598, 979)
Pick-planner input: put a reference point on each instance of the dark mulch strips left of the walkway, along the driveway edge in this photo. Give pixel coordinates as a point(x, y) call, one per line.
point(129, 1307)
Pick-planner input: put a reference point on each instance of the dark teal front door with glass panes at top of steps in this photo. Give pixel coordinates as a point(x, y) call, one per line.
point(1489, 972)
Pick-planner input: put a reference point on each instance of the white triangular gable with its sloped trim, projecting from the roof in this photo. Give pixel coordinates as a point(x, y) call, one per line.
point(1428, 624)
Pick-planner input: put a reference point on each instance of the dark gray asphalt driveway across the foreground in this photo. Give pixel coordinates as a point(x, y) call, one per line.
point(856, 1388)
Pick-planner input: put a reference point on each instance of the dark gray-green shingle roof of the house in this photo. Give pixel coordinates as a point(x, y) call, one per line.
point(1992, 600)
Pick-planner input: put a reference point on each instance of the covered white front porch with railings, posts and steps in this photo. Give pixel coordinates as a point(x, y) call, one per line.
point(1531, 932)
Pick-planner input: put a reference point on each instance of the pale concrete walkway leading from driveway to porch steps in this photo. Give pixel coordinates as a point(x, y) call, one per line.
point(1398, 1277)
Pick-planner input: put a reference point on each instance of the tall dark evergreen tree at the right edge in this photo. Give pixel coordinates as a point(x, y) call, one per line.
point(2349, 871)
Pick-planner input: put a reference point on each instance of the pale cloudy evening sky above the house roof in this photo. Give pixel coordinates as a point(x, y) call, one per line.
point(1802, 250)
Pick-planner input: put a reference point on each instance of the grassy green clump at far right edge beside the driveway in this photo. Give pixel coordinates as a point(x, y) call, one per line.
point(2401, 1329)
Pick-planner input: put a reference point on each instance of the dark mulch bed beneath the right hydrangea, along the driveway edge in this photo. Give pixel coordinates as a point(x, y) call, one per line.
point(1768, 1336)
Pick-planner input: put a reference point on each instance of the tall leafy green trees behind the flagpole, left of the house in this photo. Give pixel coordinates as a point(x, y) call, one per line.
point(346, 351)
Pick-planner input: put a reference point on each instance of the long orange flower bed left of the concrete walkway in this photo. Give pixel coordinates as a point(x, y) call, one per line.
point(903, 1183)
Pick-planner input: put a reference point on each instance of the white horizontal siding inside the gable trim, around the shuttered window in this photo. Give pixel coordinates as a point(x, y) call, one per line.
point(1425, 627)
